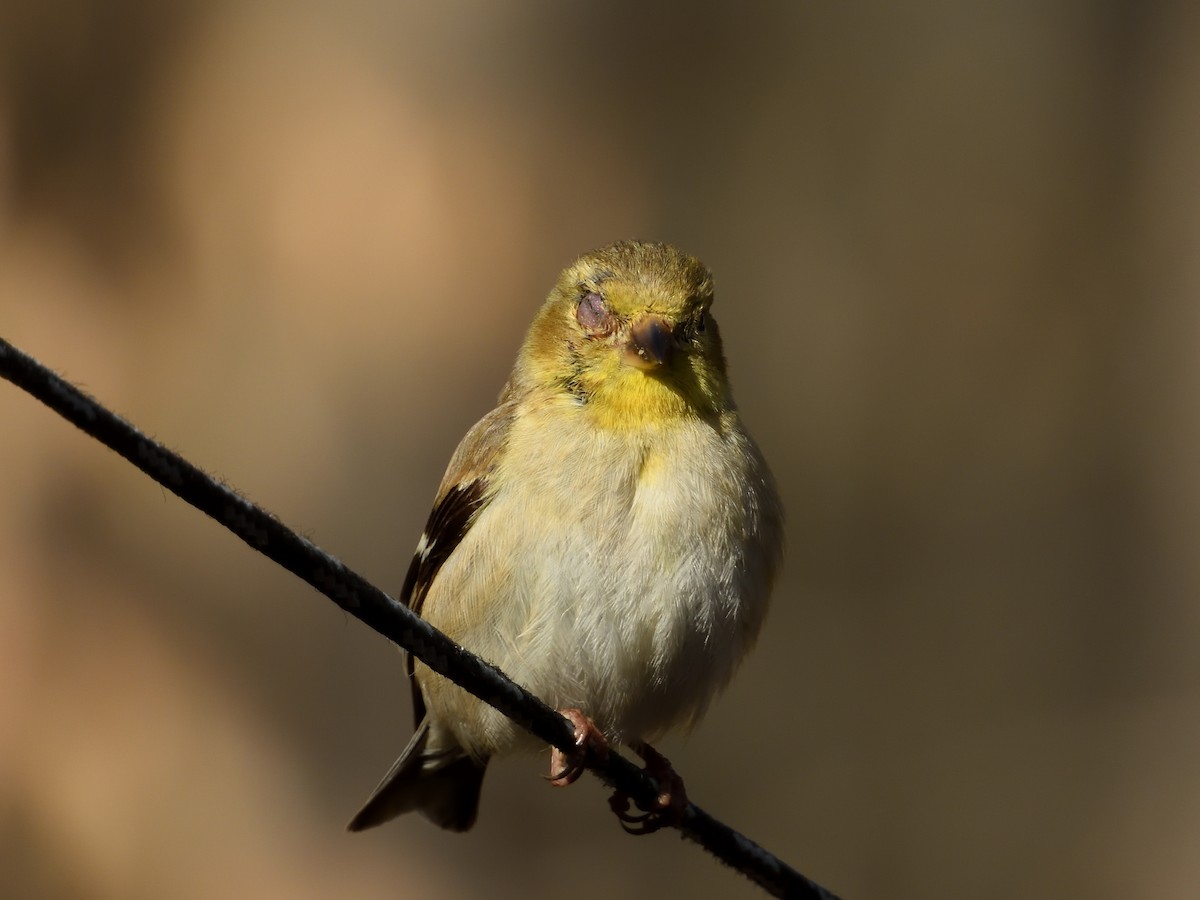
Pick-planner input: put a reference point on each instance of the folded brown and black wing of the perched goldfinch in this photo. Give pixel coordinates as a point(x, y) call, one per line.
point(463, 495)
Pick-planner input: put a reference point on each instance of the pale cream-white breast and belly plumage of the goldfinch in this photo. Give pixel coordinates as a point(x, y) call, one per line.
point(627, 578)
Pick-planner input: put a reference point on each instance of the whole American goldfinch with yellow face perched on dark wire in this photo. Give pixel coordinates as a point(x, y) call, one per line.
point(608, 536)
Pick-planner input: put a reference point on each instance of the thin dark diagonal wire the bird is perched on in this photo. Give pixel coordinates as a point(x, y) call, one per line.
point(381, 614)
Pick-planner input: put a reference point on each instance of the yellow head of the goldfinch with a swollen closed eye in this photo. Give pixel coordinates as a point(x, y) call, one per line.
point(628, 332)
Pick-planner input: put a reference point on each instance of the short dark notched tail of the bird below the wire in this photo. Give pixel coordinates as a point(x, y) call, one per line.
point(441, 783)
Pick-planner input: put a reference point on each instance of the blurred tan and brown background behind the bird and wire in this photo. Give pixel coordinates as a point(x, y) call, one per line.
point(958, 259)
